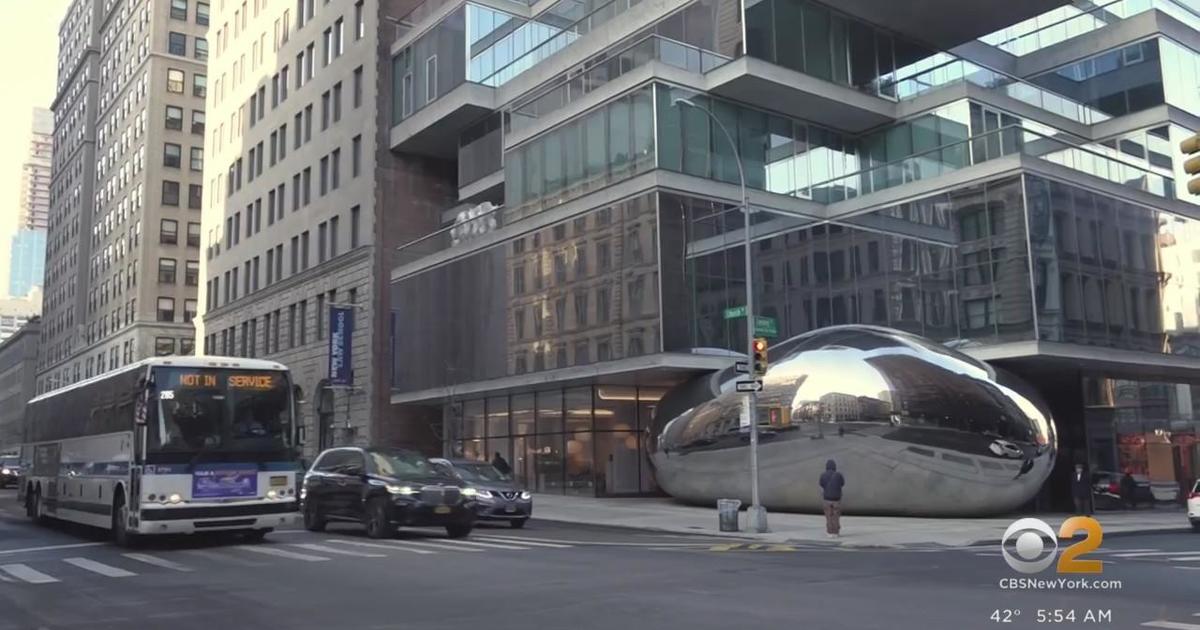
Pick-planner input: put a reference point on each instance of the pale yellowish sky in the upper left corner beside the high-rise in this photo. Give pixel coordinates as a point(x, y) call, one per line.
point(29, 49)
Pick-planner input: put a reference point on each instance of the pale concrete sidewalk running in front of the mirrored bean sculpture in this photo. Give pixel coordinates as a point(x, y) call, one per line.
point(667, 515)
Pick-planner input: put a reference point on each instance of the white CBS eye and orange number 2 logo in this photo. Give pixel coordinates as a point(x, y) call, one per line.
point(1030, 544)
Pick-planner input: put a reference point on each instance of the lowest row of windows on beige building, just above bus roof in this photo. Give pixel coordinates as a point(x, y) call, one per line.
point(249, 344)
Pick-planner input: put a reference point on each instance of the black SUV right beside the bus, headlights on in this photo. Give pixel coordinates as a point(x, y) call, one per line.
point(385, 489)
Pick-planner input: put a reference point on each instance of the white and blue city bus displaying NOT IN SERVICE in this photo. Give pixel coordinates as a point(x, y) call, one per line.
point(167, 446)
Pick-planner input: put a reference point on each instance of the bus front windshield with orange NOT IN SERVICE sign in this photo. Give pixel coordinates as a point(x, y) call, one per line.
point(219, 410)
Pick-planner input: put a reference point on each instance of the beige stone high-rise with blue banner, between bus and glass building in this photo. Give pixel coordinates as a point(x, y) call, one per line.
point(298, 196)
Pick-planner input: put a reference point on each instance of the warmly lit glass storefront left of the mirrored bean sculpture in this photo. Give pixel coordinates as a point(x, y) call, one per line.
point(589, 441)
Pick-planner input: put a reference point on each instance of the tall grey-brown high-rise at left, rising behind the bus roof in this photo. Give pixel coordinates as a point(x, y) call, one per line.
point(123, 251)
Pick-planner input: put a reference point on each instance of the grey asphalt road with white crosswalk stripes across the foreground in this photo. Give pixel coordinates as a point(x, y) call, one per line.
point(555, 577)
